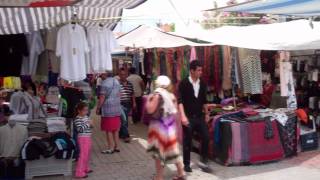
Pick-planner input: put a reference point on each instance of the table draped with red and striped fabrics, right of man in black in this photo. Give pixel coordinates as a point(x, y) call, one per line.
point(243, 142)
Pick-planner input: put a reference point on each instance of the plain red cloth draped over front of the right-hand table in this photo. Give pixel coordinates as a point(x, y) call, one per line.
point(262, 149)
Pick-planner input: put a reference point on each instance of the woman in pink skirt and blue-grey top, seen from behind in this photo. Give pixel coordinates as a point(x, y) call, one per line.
point(109, 109)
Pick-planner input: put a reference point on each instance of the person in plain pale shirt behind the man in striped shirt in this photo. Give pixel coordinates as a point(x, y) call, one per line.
point(138, 87)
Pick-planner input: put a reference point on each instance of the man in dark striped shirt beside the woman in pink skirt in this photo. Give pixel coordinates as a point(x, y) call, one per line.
point(127, 103)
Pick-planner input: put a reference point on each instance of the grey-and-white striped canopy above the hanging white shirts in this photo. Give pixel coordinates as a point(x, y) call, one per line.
point(14, 20)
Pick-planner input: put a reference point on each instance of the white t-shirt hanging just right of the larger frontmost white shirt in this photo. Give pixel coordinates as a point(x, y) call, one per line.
point(102, 42)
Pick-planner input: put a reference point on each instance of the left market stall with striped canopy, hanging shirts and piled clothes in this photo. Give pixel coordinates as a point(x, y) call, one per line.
point(44, 60)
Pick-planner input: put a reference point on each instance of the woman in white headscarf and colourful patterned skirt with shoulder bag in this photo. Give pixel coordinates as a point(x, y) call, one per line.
point(163, 141)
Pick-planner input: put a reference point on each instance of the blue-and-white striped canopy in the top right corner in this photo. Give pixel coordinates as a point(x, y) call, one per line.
point(278, 7)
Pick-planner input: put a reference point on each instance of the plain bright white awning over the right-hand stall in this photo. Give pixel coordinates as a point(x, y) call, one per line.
point(294, 35)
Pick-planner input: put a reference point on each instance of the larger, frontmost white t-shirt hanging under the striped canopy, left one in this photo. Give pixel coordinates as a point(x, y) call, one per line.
point(72, 46)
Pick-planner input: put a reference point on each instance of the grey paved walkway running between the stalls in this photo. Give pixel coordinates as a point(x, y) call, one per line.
point(132, 163)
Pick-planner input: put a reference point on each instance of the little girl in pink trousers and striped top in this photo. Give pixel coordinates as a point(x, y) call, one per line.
point(83, 127)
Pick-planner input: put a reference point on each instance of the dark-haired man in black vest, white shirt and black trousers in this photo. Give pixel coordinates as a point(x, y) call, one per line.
point(194, 116)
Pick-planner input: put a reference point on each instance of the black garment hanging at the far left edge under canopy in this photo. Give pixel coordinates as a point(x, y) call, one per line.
point(12, 50)
